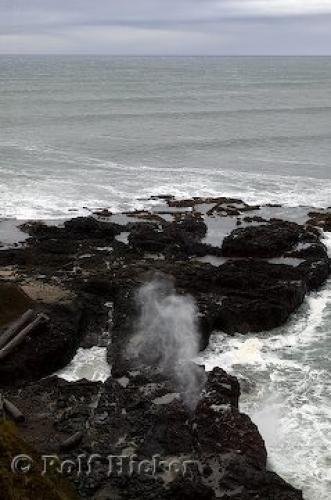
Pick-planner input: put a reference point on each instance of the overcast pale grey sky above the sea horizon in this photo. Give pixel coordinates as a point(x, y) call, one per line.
point(166, 26)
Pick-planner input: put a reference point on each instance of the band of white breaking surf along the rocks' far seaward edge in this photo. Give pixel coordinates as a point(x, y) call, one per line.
point(45, 195)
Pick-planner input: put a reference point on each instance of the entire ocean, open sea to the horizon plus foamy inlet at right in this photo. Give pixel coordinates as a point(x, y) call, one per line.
point(83, 132)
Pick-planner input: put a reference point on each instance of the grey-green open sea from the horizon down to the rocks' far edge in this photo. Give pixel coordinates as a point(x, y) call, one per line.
point(105, 131)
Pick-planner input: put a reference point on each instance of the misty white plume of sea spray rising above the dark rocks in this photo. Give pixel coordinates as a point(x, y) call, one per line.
point(167, 336)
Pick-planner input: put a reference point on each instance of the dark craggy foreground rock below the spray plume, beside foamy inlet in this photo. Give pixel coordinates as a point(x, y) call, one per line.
point(215, 449)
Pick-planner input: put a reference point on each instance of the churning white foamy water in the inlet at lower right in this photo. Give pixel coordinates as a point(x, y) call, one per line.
point(290, 397)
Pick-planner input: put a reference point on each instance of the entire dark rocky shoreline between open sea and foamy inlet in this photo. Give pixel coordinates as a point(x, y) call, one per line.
point(246, 268)
